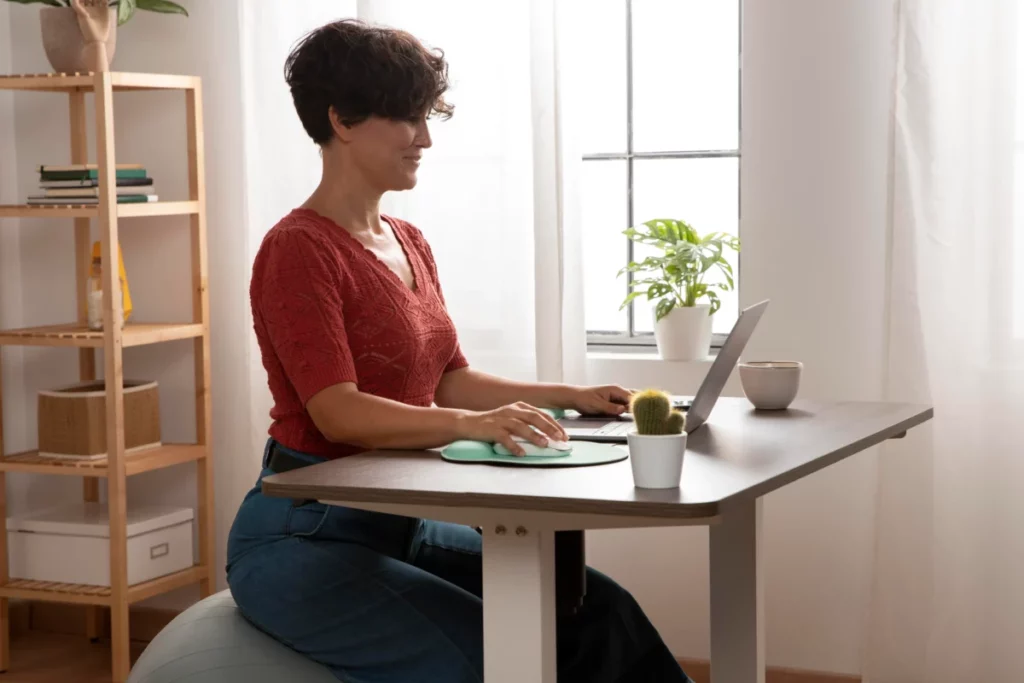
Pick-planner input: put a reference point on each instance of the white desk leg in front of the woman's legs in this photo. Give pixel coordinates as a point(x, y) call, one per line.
point(519, 606)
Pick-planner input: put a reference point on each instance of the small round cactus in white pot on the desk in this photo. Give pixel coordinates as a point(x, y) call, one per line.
point(659, 444)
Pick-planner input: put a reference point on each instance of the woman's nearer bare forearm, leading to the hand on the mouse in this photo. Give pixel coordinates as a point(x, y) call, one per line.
point(345, 415)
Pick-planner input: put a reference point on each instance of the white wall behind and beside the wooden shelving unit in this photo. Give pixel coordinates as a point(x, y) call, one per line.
point(151, 131)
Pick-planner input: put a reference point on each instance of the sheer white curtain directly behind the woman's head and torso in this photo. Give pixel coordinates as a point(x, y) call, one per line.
point(492, 190)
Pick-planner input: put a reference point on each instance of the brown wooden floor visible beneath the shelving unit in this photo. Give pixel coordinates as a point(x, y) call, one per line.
point(49, 658)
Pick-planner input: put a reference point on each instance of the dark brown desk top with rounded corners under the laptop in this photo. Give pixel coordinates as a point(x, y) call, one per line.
point(741, 453)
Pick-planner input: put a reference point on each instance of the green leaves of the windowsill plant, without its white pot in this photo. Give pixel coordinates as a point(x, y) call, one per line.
point(679, 275)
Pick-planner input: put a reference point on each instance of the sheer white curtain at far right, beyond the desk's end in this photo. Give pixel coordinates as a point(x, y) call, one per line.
point(949, 599)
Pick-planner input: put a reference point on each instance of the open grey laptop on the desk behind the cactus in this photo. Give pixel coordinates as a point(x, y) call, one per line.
point(614, 430)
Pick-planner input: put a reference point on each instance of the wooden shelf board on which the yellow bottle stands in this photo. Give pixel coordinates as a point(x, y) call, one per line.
point(79, 336)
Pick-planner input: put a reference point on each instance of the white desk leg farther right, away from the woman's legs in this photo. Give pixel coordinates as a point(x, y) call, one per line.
point(737, 597)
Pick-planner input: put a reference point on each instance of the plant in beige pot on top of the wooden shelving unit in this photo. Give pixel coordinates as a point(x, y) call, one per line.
point(80, 36)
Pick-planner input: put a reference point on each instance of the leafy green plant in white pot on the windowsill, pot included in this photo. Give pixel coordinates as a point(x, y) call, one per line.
point(679, 280)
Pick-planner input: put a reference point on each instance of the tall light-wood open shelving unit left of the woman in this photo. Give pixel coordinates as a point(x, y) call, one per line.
point(112, 340)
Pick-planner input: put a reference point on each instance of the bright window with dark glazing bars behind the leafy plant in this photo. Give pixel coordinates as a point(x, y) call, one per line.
point(663, 143)
